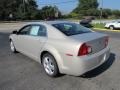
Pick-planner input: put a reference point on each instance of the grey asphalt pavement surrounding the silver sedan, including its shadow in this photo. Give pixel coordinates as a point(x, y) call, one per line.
point(18, 72)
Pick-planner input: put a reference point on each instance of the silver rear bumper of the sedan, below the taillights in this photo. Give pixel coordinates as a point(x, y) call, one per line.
point(81, 65)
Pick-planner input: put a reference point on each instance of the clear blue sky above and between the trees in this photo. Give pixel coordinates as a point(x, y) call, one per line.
point(68, 7)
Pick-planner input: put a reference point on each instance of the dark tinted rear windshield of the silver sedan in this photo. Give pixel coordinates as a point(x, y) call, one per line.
point(71, 28)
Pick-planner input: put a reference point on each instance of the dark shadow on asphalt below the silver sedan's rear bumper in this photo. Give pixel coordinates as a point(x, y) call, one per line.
point(99, 70)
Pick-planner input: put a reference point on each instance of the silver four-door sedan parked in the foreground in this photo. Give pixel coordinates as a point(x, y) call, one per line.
point(61, 46)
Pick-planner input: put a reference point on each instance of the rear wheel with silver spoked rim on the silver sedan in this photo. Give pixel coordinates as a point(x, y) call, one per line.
point(50, 65)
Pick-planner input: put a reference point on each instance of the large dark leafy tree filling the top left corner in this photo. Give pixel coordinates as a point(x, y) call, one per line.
point(18, 8)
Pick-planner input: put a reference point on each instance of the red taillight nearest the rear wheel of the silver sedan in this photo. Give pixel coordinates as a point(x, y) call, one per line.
point(84, 49)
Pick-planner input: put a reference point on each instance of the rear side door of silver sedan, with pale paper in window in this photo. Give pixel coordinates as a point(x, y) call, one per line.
point(35, 40)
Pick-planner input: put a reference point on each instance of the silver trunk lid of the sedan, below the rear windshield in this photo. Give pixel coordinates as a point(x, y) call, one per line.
point(96, 40)
